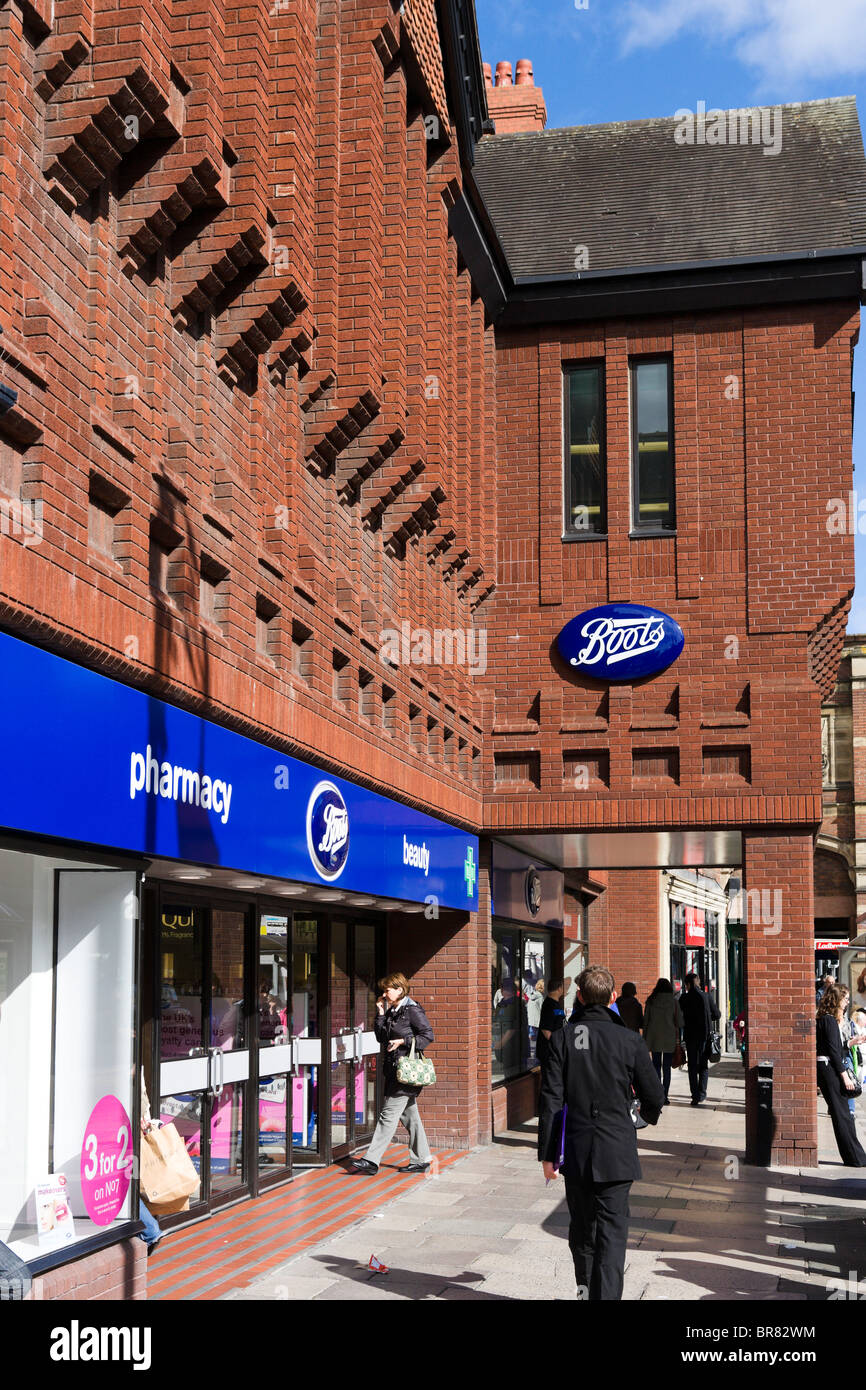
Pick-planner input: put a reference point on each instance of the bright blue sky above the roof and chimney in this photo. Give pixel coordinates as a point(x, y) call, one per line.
point(621, 60)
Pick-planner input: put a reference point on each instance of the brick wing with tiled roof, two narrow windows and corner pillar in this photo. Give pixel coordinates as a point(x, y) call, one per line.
point(717, 760)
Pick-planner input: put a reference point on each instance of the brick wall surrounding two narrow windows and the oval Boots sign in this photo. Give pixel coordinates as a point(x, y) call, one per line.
point(742, 696)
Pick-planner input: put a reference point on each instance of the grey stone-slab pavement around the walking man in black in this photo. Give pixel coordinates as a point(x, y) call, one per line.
point(704, 1225)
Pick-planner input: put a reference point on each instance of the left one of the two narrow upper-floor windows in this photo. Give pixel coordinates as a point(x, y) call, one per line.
point(586, 464)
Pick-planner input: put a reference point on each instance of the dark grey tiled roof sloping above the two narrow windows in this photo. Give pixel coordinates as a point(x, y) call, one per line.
point(633, 197)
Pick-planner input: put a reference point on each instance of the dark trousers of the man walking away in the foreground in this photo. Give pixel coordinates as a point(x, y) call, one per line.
point(598, 1236)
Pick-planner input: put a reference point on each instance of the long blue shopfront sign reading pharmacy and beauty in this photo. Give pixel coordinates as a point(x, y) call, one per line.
point(102, 764)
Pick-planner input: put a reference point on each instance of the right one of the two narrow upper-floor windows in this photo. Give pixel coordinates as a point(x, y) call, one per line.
point(653, 445)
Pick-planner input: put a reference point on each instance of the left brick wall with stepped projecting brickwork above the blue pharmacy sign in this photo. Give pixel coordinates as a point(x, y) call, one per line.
point(243, 336)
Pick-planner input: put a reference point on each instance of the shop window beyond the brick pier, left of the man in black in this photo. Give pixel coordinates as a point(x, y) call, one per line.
point(522, 965)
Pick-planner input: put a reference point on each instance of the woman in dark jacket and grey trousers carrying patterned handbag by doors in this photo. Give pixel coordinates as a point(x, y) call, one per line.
point(398, 1021)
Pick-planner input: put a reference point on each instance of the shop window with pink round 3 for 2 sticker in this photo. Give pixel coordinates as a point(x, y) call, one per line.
point(67, 979)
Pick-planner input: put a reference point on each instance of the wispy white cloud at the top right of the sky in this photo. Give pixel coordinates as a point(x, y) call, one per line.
point(782, 40)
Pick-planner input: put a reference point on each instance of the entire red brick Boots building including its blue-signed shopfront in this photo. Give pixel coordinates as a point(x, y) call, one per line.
point(283, 357)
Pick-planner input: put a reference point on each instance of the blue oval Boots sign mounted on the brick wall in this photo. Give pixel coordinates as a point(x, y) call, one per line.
point(621, 641)
